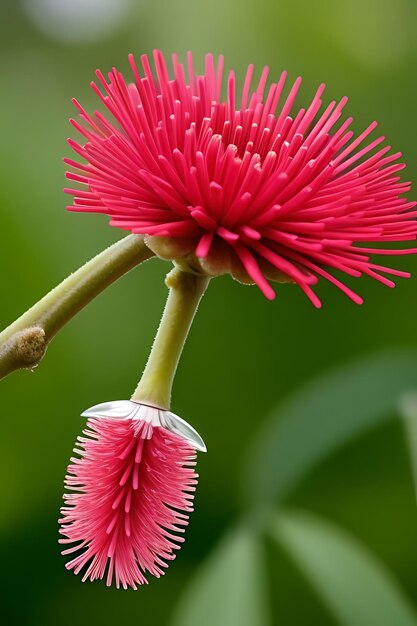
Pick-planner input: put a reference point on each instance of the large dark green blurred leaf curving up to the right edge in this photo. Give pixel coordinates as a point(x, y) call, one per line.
point(322, 416)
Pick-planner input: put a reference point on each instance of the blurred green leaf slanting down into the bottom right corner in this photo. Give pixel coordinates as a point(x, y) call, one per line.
point(357, 588)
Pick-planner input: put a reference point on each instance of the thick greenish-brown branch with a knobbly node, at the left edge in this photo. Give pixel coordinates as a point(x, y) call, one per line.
point(24, 343)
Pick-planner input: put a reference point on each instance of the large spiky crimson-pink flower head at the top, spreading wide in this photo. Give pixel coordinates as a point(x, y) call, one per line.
point(243, 184)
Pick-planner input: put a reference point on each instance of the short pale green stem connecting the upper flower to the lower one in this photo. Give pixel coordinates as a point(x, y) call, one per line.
point(185, 292)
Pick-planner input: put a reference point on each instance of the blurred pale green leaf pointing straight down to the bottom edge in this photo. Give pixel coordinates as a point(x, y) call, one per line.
point(229, 588)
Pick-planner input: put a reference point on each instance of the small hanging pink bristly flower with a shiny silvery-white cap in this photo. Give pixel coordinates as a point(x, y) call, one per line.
point(130, 490)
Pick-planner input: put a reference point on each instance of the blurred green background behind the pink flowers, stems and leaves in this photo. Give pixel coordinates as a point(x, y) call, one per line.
point(245, 355)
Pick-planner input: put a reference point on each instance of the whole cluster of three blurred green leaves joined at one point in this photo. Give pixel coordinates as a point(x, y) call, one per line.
point(357, 589)
